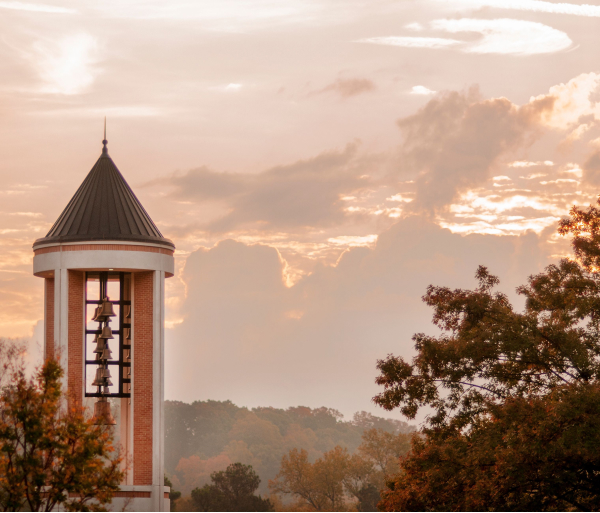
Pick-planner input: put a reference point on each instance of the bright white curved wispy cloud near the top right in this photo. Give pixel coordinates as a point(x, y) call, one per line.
point(507, 36)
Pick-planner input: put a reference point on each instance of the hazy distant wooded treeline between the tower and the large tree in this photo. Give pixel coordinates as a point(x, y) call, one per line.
point(207, 436)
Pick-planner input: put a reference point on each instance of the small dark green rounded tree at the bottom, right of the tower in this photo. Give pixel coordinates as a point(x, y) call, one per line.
point(231, 490)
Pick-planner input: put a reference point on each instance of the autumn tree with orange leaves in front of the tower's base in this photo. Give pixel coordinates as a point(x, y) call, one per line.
point(51, 454)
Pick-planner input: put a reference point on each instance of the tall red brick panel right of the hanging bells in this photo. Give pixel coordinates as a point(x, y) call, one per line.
point(143, 295)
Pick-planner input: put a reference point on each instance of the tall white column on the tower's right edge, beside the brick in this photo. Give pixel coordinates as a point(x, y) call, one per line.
point(158, 465)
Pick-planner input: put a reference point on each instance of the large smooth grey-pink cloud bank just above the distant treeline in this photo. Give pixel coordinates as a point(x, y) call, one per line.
point(247, 337)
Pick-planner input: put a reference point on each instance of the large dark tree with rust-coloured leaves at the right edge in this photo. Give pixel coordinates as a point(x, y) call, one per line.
point(515, 396)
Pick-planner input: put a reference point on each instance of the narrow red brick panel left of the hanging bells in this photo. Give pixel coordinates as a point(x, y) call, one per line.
point(76, 341)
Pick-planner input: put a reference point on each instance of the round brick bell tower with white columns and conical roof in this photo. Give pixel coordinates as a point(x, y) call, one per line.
point(104, 264)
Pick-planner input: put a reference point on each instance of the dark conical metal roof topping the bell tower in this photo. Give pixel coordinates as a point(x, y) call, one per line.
point(104, 208)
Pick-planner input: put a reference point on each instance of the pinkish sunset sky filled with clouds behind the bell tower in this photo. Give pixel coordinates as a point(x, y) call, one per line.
point(317, 164)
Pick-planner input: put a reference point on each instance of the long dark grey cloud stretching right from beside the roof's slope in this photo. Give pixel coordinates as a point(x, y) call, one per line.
point(304, 194)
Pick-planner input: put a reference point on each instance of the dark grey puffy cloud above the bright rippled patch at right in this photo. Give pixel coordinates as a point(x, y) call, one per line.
point(453, 143)
